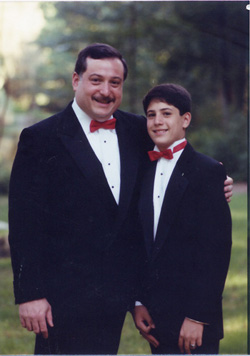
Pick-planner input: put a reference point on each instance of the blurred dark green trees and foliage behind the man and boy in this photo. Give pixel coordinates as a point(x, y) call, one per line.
point(203, 47)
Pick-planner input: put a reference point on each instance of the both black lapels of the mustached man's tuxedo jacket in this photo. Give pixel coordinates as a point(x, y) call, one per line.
point(76, 143)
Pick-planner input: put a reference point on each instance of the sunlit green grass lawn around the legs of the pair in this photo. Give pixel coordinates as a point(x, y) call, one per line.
point(16, 340)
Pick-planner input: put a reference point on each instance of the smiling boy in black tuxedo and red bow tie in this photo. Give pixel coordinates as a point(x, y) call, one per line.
point(187, 230)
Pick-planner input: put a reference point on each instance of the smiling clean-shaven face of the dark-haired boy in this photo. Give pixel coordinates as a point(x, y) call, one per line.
point(165, 124)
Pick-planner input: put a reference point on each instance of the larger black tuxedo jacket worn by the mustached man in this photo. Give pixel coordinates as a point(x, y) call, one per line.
point(70, 242)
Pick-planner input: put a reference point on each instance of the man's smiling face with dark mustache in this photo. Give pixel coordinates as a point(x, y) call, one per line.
point(98, 90)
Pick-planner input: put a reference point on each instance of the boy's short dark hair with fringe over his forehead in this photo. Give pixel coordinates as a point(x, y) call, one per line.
point(172, 94)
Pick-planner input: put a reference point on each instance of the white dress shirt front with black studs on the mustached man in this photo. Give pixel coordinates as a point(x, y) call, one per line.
point(105, 145)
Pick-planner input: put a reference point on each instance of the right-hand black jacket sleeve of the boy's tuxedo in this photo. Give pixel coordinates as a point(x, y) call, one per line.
point(211, 256)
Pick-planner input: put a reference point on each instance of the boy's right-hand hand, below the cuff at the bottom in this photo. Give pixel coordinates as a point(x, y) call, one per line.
point(190, 334)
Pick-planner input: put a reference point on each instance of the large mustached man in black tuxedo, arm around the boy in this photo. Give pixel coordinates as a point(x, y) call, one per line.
point(74, 237)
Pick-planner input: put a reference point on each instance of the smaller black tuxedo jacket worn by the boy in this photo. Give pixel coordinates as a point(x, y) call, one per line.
point(188, 262)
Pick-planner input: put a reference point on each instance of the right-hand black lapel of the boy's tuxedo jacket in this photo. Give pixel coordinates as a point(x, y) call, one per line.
point(172, 200)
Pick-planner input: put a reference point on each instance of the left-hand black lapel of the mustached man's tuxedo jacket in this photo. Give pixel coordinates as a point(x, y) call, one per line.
point(76, 143)
